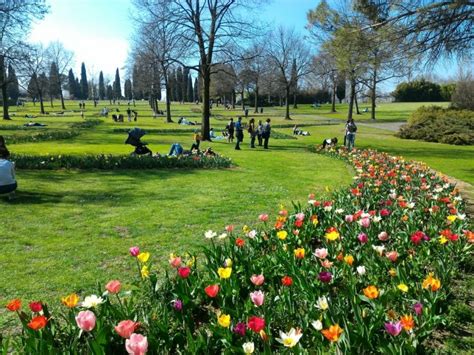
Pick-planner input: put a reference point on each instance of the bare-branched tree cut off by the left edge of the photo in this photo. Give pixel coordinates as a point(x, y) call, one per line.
point(15, 20)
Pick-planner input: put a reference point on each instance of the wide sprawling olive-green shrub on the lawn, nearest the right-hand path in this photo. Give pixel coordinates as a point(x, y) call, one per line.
point(437, 124)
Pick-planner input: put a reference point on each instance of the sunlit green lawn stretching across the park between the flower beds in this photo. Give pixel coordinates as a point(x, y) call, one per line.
point(67, 229)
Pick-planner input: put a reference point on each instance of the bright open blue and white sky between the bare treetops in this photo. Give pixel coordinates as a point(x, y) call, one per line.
point(99, 31)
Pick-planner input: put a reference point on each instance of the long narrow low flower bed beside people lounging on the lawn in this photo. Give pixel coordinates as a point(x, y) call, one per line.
point(111, 162)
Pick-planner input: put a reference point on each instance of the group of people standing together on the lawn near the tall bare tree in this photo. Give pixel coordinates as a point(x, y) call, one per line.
point(260, 132)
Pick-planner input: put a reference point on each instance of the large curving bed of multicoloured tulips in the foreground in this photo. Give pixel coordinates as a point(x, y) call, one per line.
point(367, 271)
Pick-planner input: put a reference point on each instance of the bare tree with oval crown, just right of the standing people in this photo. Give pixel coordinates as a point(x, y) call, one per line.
point(285, 49)
